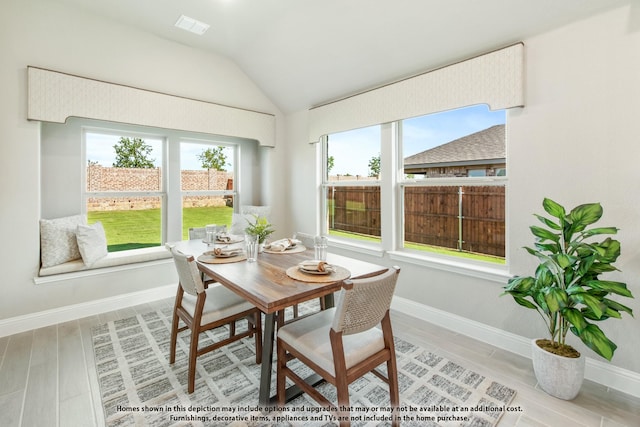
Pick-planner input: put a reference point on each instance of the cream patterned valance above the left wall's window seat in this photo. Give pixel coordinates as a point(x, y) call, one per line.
point(55, 96)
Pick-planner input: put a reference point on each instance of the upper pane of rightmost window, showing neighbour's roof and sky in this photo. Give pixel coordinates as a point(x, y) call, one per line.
point(460, 143)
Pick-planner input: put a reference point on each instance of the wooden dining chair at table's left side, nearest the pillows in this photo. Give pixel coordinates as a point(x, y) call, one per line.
point(202, 309)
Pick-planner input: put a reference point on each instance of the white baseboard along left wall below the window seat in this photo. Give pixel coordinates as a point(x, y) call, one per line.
point(41, 319)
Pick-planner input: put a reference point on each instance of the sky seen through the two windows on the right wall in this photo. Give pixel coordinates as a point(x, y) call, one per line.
point(352, 150)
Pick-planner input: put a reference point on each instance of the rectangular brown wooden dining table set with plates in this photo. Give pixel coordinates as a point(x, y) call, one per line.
point(266, 284)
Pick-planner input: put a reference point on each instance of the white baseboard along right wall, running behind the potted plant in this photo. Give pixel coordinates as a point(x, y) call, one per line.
point(595, 370)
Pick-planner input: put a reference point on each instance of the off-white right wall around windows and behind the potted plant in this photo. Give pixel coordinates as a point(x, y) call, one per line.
point(576, 141)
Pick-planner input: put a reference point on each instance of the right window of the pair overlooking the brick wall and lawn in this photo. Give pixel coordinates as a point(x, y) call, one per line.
point(207, 183)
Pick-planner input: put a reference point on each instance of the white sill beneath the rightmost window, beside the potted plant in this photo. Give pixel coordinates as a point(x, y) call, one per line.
point(494, 273)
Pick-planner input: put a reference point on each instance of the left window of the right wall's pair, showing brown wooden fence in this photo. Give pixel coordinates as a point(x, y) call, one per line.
point(351, 184)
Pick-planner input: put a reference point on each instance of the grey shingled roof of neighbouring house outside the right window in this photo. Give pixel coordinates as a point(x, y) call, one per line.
point(486, 146)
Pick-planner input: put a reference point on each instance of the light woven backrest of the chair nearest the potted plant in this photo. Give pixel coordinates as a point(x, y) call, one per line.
point(363, 303)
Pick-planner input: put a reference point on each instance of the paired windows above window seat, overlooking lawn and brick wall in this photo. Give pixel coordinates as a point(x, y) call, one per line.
point(127, 184)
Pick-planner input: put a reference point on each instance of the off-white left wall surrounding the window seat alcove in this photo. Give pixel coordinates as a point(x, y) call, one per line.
point(36, 32)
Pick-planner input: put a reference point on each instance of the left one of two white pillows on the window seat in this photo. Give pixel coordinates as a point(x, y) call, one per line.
point(58, 242)
